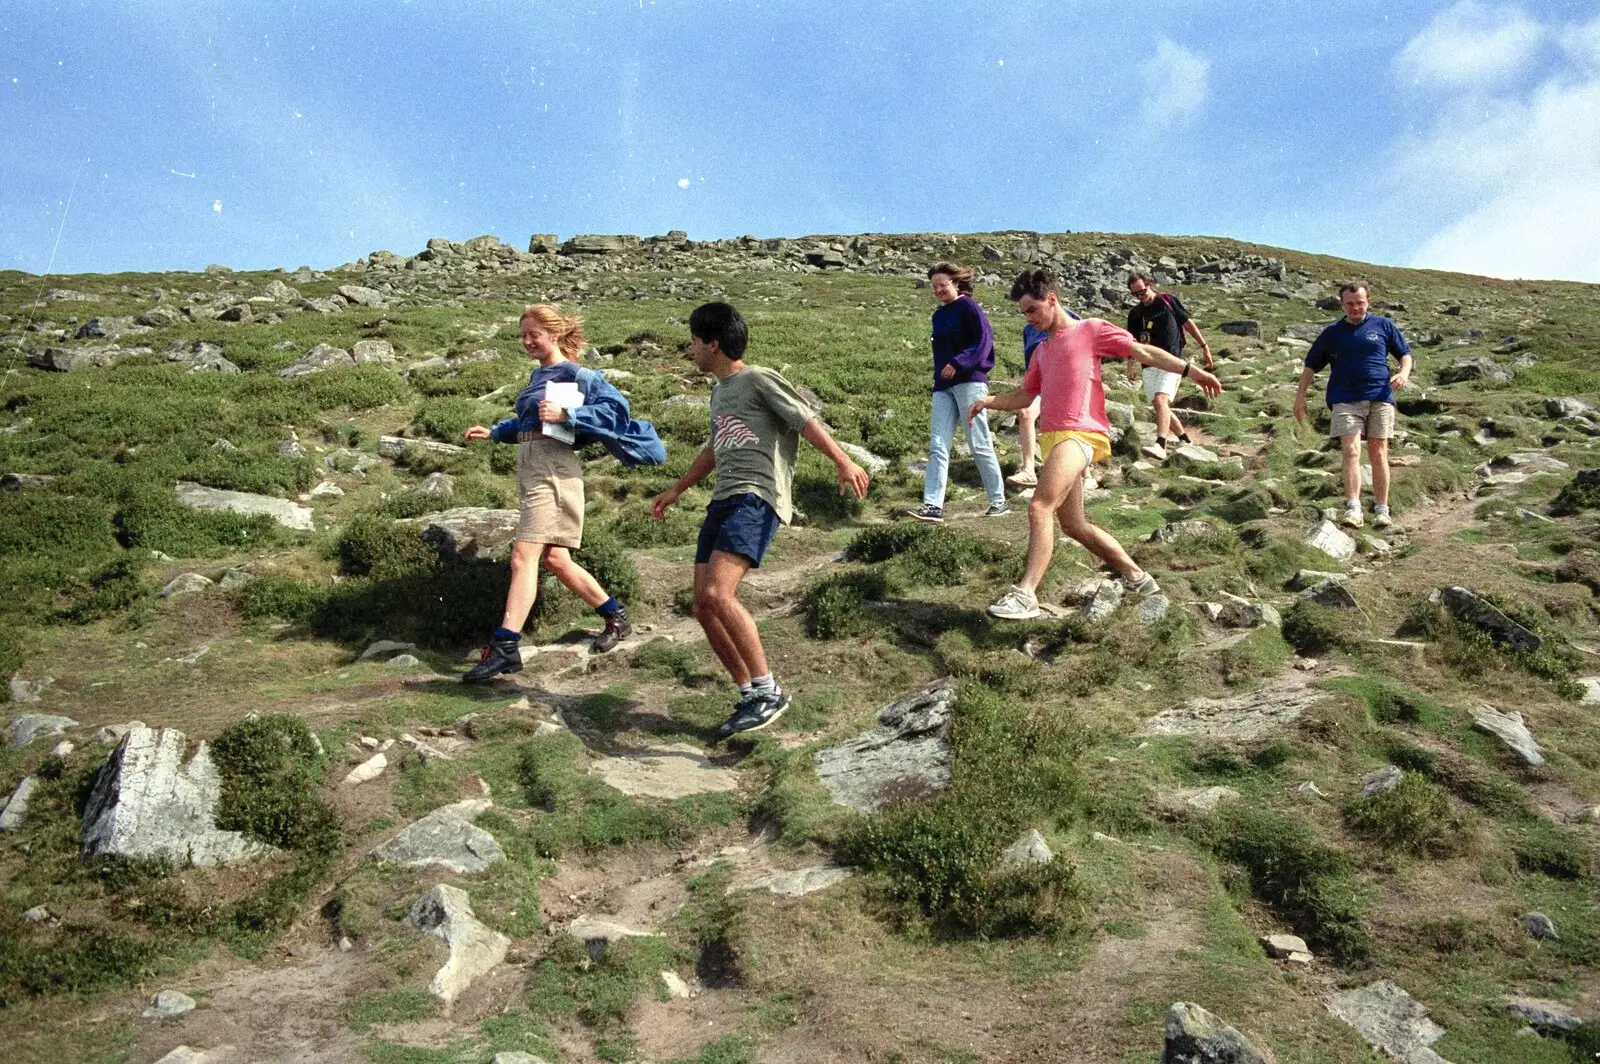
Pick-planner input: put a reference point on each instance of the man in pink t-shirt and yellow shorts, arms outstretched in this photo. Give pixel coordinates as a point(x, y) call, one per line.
point(1073, 433)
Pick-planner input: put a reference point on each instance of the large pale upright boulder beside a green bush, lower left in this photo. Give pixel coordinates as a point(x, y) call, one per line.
point(145, 802)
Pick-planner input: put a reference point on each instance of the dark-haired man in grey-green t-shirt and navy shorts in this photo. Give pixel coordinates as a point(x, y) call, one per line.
point(756, 425)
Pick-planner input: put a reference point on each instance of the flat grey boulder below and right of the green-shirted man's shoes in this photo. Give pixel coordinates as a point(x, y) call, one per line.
point(906, 756)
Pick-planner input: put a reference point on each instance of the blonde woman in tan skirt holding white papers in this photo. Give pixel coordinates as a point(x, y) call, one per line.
point(551, 484)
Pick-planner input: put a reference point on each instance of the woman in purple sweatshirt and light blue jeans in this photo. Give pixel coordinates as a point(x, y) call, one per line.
point(964, 353)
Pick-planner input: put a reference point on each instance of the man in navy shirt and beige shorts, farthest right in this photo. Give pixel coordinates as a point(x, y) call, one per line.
point(1361, 394)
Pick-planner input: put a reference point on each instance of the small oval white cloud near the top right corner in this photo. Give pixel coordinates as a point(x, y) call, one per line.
point(1471, 44)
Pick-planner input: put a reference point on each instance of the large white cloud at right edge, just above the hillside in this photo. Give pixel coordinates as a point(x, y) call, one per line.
point(1527, 169)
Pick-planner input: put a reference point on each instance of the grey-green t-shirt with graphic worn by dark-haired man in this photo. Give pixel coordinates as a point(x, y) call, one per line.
point(756, 422)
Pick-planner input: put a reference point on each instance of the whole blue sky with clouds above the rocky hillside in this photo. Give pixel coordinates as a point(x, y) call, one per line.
point(174, 135)
